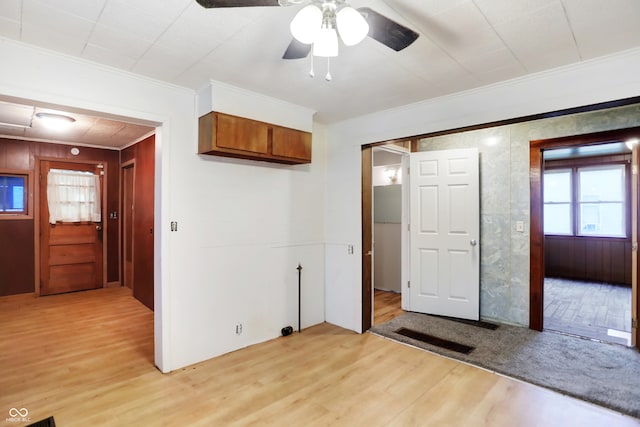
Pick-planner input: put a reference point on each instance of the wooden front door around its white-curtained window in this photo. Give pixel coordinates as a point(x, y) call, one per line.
point(71, 253)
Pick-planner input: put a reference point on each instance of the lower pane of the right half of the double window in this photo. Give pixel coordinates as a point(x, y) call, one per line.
point(602, 219)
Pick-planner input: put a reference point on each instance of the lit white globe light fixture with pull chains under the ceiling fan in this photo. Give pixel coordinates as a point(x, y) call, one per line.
point(320, 26)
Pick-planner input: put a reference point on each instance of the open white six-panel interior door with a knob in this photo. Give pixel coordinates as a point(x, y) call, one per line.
point(445, 232)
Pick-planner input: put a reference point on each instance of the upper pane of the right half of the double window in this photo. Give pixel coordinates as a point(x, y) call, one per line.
point(605, 184)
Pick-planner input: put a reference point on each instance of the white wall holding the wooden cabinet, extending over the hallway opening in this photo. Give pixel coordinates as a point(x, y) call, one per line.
point(243, 226)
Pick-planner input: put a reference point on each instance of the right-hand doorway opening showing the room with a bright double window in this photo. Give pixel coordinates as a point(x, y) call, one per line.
point(587, 225)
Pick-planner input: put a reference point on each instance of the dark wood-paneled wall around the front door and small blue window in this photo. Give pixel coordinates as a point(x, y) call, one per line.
point(17, 257)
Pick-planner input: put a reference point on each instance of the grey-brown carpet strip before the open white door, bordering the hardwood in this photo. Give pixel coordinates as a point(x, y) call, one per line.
point(604, 374)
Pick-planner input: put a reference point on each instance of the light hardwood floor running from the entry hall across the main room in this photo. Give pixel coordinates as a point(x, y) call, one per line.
point(86, 359)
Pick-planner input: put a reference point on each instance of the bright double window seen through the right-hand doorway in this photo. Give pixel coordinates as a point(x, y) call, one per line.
point(586, 201)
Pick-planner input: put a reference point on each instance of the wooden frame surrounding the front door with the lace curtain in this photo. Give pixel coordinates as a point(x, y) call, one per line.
point(36, 214)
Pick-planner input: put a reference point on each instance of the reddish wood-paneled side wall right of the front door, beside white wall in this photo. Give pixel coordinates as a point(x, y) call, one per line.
point(143, 233)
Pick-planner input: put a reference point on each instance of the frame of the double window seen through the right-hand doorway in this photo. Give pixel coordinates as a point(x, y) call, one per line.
point(575, 165)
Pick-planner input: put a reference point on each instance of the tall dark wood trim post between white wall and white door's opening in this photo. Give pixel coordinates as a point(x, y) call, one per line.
point(367, 237)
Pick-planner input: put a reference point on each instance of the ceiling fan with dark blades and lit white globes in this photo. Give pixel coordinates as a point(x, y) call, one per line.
point(316, 26)
